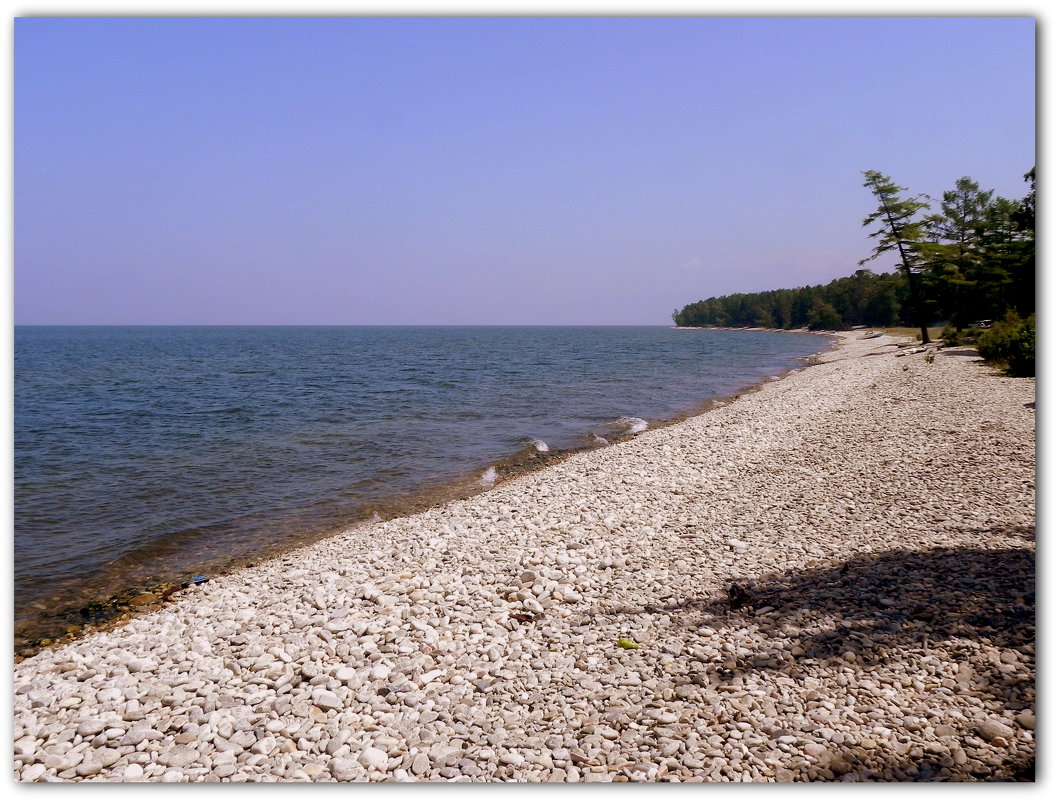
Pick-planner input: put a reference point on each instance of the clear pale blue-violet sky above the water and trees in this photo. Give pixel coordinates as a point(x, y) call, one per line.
point(511, 171)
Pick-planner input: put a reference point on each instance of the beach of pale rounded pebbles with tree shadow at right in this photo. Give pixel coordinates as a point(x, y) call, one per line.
point(830, 579)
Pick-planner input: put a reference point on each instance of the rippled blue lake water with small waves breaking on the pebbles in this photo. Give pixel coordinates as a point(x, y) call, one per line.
point(157, 454)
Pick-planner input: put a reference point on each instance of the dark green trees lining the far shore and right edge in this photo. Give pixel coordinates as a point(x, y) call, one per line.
point(972, 259)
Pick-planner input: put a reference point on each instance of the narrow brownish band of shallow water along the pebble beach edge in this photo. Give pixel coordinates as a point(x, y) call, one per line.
point(82, 612)
